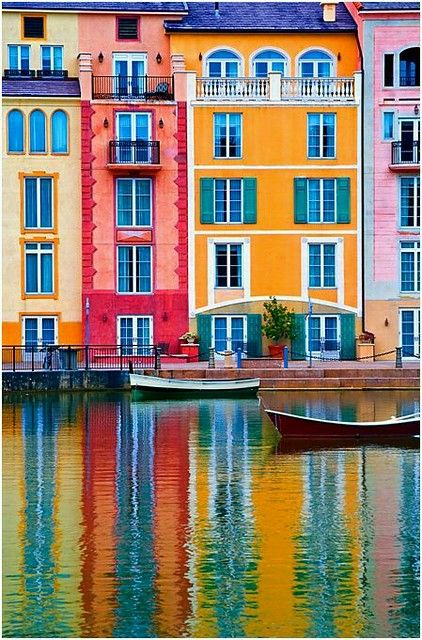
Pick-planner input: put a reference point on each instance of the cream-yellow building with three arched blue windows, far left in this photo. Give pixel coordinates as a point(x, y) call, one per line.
point(41, 179)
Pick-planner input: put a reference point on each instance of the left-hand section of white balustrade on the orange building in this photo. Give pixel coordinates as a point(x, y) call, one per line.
point(232, 89)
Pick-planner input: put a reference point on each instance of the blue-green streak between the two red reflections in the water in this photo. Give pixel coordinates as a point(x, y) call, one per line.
point(135, 565)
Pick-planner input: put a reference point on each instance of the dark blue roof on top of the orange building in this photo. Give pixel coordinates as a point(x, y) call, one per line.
point(260, 16)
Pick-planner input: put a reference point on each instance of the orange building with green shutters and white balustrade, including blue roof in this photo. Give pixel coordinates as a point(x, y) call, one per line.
point(273, 153)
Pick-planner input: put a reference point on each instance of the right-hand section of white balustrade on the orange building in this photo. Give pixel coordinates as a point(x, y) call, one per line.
point(318, 89)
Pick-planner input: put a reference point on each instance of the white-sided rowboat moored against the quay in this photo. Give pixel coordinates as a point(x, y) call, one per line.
point(169, 387)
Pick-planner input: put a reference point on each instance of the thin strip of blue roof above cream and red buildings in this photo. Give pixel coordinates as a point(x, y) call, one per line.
point(80, 6)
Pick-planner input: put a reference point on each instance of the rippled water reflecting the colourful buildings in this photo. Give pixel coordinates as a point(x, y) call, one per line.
point(132, 519)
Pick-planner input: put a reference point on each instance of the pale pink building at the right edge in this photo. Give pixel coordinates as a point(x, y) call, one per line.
point(389, 33)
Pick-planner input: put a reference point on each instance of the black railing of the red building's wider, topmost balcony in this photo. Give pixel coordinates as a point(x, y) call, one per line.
point(132, 87)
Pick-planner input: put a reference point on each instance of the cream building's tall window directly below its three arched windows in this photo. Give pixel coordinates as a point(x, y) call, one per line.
point(38, 203)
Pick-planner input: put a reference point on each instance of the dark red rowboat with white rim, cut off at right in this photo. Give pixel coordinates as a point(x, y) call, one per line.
point(294, 426)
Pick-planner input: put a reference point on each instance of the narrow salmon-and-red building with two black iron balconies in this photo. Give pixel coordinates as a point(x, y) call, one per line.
point(134, 184)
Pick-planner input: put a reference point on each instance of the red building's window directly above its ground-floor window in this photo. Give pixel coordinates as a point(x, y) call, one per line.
point(134, 269)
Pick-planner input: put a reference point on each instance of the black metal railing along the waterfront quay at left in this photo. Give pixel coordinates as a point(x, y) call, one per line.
point(79, 357)
